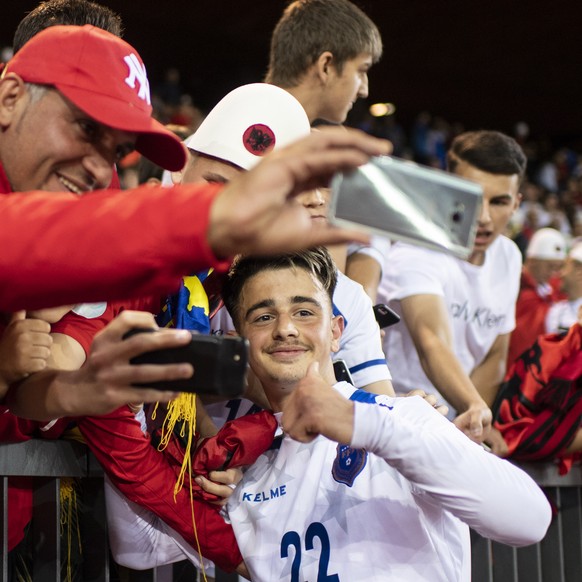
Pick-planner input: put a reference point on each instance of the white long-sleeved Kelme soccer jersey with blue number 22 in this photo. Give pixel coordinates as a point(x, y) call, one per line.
point(323, 511)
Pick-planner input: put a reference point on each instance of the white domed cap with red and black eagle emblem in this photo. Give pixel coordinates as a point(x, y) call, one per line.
point(248, 123)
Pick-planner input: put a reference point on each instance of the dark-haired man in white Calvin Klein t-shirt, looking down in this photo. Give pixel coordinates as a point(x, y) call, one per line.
point(458, 314)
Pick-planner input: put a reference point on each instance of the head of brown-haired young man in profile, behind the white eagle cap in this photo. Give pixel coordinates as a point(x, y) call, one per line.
point(321, 51)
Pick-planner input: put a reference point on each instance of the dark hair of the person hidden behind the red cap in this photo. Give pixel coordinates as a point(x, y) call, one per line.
point(67, 12)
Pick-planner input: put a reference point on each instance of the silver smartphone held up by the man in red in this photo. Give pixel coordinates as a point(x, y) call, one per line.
point(404, 201)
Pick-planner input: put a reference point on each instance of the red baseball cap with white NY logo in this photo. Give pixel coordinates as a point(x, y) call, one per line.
point(103, 76)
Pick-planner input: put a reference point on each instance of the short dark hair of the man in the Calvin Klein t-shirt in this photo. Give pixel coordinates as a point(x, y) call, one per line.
point(489, 151)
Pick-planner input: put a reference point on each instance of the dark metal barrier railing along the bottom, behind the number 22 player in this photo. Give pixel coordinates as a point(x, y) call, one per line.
point(557, 558)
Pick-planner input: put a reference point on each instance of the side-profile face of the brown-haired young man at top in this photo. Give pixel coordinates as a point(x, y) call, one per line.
point(344, 88)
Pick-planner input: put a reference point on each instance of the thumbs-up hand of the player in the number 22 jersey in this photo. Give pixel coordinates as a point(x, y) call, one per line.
point(316, 408)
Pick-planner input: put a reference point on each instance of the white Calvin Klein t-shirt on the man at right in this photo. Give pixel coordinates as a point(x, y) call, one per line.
point(480, 301)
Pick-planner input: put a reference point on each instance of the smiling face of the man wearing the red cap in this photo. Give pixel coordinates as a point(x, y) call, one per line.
point(49, 144)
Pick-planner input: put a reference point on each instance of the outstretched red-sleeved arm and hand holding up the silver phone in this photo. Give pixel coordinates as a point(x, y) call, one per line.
point(155, 236)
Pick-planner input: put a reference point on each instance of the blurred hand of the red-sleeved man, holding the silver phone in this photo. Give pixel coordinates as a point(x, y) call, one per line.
point(257, 214)
